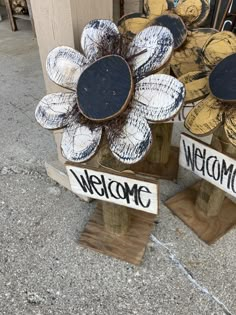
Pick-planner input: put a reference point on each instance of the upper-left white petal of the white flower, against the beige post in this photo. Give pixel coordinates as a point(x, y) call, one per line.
point(64, 66)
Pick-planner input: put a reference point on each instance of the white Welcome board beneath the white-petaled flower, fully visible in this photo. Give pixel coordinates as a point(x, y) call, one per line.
point(119, 189)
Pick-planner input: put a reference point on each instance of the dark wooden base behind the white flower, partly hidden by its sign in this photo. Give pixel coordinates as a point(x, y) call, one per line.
point(167, 171)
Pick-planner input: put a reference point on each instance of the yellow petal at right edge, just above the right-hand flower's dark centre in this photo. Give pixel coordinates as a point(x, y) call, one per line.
point(218, 46)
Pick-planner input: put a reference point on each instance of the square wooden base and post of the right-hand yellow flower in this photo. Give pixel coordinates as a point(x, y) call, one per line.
point(205, 207)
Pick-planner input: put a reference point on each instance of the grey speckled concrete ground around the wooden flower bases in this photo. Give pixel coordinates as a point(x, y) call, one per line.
point(43, 270)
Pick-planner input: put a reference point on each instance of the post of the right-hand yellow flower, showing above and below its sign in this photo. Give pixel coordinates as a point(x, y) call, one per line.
point(210, 198)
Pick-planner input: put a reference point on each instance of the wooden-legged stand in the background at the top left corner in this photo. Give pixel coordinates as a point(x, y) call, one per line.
point(13, 17)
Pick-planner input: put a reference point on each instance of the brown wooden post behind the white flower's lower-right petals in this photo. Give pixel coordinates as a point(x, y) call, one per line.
point(161, 148)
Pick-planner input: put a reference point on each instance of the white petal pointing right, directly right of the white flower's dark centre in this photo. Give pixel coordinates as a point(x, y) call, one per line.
point(159, 97)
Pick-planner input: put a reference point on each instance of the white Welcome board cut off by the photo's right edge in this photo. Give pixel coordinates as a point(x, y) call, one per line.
point(209, 164)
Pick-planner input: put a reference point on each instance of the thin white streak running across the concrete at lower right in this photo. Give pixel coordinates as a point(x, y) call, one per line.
point(188, 274)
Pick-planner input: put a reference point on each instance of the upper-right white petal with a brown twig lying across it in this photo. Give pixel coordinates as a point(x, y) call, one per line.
point(150, 50)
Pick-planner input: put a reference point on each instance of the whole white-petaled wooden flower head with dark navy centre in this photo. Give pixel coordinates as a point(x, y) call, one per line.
point(112, 90)
